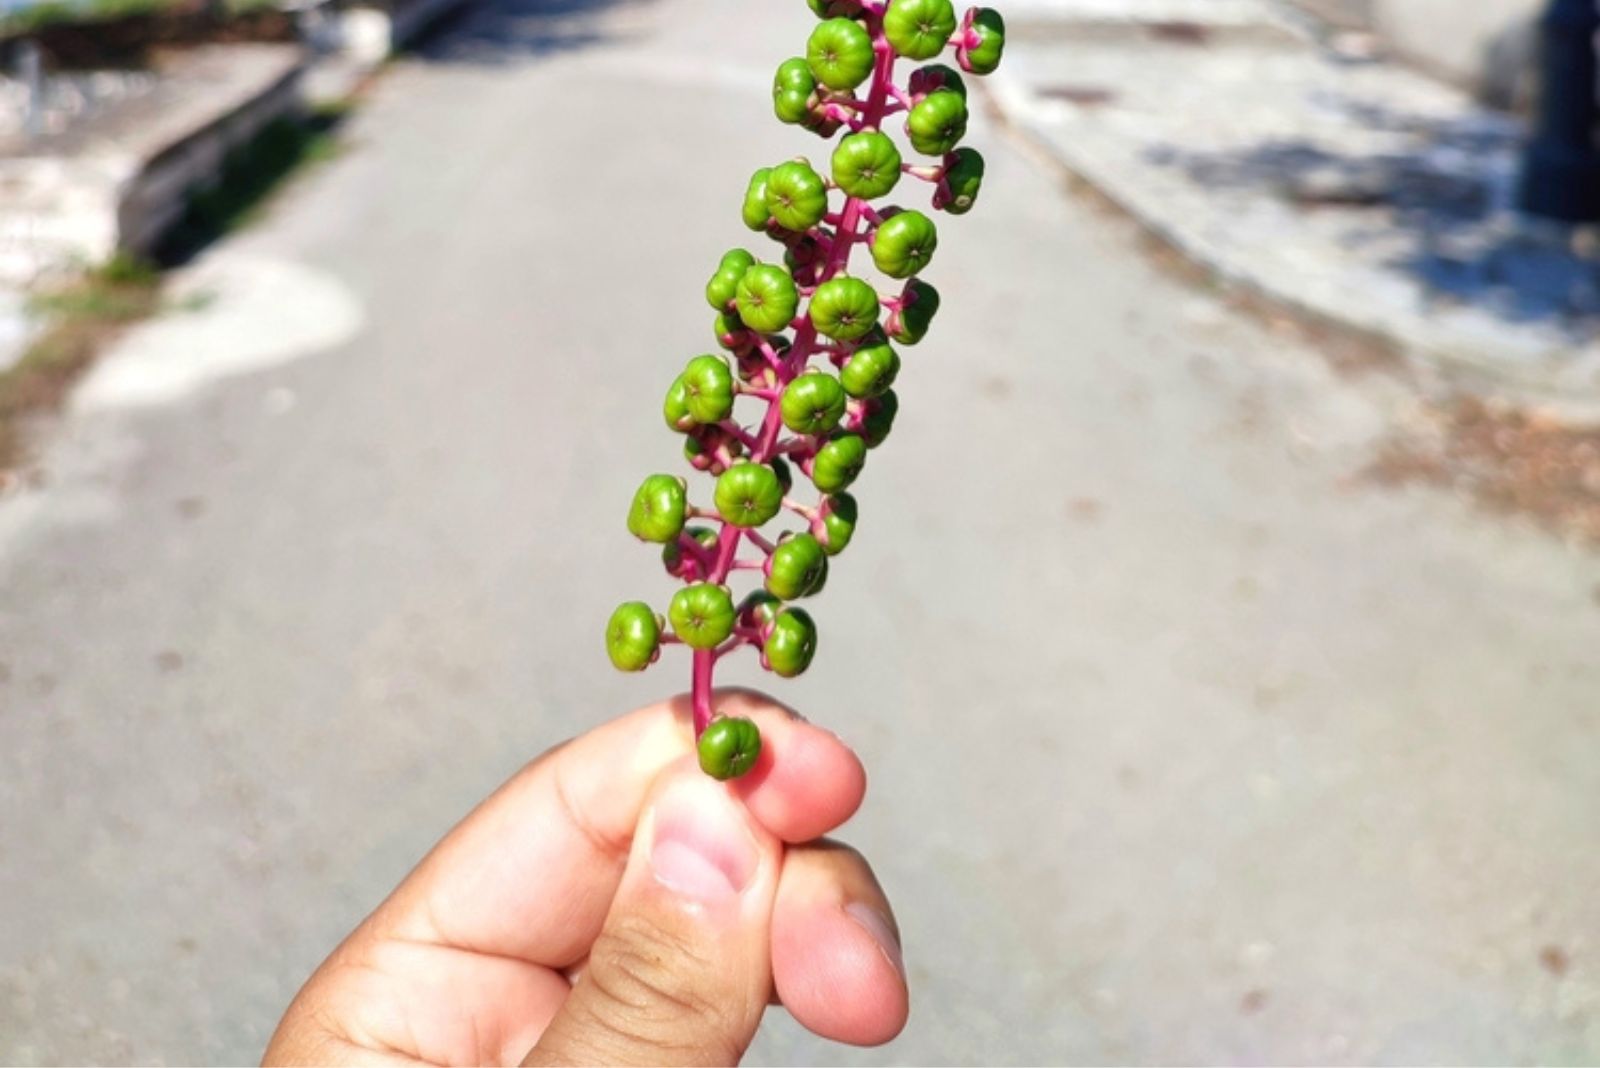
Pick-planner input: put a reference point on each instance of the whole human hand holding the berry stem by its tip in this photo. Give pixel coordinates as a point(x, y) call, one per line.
point(612, 904)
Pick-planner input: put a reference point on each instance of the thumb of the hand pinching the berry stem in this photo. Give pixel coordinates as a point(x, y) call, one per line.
point(682, 970)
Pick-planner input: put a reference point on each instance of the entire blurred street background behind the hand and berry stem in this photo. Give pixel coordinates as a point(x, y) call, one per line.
point(1220, 634)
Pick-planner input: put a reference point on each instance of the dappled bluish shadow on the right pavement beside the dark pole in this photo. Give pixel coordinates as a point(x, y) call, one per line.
point(1444, 197)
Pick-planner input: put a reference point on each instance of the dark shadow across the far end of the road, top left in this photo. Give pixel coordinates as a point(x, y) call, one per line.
point(492, 33)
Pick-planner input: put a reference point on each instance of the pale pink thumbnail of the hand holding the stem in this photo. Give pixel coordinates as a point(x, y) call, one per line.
point(702, 848)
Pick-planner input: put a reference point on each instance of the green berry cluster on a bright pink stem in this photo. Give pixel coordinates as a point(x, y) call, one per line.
point(810, 349)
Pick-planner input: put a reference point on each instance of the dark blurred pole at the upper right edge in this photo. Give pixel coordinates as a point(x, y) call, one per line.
point(1561, 177)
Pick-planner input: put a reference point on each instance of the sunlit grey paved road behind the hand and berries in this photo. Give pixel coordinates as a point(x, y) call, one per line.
point(1188, 744)
